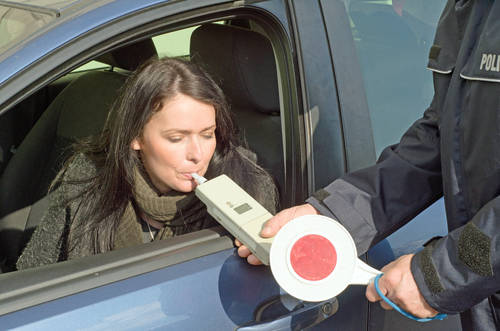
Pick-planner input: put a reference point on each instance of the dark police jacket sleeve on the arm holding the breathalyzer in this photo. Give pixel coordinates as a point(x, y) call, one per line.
point(374, 202)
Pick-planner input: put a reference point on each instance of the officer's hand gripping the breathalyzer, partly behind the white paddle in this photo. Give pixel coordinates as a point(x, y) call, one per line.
point(272, 227)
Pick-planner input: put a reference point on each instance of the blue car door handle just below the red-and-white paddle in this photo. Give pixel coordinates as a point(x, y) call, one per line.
point(305, 315)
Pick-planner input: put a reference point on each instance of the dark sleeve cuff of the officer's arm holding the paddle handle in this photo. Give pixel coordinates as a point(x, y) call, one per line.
point(460, 270)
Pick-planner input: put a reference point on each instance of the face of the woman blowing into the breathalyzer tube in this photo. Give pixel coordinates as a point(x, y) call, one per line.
point(178, 140)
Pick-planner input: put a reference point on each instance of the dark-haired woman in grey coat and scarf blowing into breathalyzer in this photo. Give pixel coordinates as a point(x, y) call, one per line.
point(133, 184)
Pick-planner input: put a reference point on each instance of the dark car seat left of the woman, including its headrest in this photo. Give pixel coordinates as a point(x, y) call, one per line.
point(79, 111)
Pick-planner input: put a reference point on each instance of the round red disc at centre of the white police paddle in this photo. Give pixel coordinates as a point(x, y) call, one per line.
point(313, 257)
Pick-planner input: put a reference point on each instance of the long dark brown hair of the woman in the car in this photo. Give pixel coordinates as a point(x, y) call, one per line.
point(142, 95)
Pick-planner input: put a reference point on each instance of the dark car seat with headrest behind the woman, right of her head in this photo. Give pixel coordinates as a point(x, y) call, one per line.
point(243, 63)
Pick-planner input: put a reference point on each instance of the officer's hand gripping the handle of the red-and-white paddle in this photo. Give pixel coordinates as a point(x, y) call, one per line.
point(398, 284)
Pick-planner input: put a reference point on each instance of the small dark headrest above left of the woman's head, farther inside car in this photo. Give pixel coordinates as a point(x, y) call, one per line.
point(129, 57)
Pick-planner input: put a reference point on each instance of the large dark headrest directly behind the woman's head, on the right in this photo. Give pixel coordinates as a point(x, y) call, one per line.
point(242, 61)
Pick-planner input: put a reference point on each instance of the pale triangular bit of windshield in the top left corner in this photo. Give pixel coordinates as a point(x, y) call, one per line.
point(17, 25)
